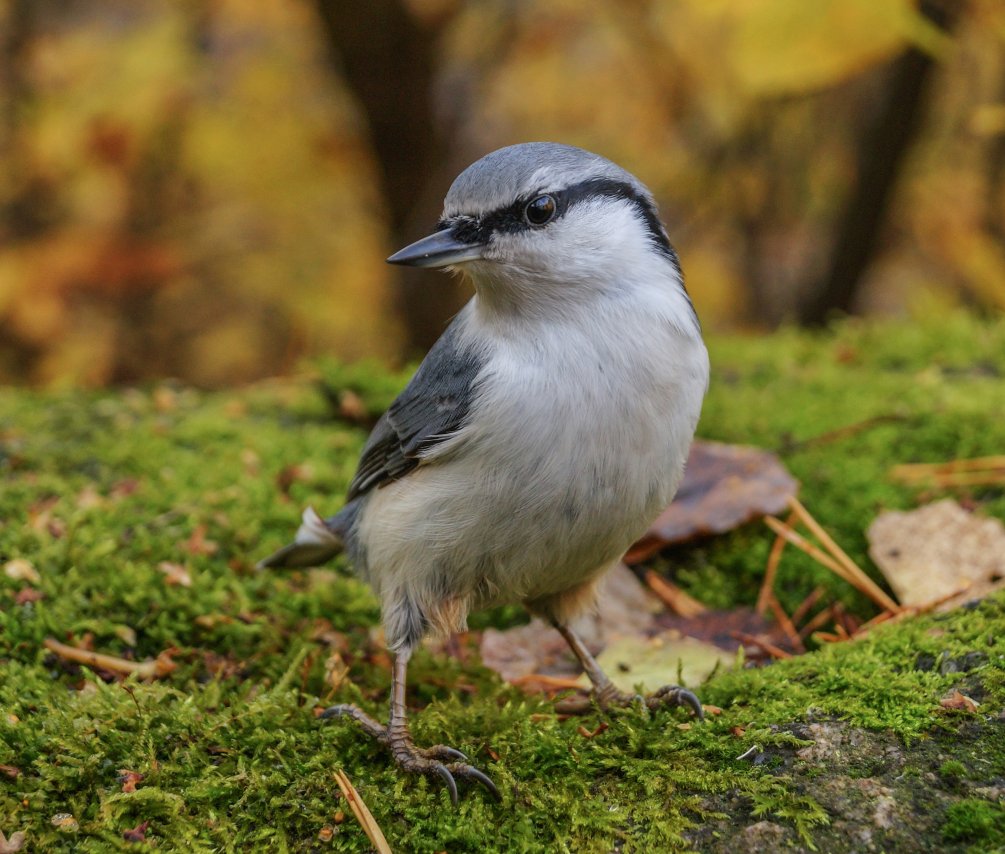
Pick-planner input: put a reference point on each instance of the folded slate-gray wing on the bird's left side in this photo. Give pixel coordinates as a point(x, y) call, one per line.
point(434, 406)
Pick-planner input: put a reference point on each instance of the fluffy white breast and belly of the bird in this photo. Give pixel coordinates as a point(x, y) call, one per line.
point(577, 440)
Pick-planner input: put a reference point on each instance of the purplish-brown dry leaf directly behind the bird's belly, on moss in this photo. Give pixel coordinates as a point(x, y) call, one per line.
point(724, 488)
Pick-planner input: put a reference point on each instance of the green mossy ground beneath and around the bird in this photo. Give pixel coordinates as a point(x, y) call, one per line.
point(100, 489)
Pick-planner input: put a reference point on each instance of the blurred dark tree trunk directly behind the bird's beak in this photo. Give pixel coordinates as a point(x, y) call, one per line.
point(386, 56)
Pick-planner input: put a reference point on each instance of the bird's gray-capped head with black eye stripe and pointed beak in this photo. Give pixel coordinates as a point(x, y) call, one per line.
point(540, 224)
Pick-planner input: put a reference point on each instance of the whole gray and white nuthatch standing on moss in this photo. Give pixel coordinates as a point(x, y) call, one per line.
point(543, 433)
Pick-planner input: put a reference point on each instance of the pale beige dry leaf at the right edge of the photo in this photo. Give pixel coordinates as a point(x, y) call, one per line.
point(938, 551)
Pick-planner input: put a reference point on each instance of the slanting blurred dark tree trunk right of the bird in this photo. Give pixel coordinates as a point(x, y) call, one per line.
point(881, 156)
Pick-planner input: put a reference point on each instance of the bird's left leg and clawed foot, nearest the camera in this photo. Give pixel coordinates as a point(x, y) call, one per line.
point(439, 761)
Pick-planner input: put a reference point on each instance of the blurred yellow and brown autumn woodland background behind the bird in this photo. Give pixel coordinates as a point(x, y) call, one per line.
point(208, 189)
